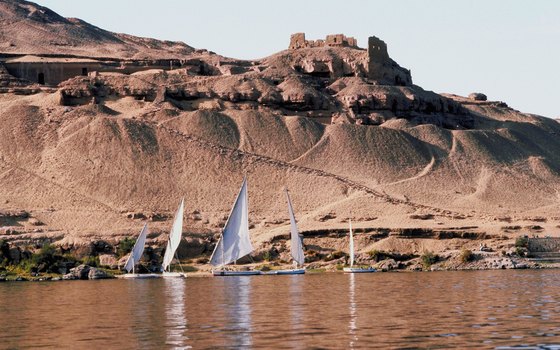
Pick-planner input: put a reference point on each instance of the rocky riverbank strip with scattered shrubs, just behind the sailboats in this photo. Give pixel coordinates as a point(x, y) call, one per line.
point(418, 249)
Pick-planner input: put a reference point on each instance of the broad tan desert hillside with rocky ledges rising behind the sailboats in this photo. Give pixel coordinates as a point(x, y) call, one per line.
point(97, 154)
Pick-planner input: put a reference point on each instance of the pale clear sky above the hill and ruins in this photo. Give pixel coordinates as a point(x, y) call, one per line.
point(508, 50)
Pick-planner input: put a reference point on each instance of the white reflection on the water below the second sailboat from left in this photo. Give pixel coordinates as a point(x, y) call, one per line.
point(175, 313)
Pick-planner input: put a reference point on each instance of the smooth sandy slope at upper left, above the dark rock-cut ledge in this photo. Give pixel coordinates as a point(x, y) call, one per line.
point(27, 28)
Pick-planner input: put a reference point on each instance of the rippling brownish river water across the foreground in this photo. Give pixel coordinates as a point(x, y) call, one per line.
point(478, 309)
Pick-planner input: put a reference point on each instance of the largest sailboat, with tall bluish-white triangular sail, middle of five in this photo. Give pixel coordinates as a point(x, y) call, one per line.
point(234, 242)
